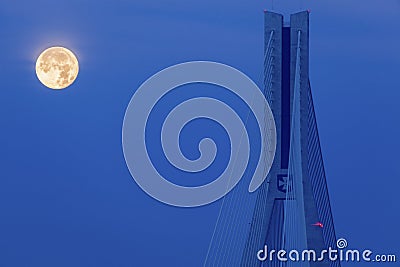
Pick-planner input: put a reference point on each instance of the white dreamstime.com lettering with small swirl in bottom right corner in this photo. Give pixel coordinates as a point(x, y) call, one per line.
point(331, 254)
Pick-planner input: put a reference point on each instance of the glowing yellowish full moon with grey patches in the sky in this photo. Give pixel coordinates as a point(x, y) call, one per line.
point(57, 67)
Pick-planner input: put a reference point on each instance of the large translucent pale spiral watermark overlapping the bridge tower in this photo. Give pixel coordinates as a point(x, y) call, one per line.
point(135, 133)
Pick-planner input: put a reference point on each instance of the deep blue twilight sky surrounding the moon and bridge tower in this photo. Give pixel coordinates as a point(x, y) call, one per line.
point(66, 196)
